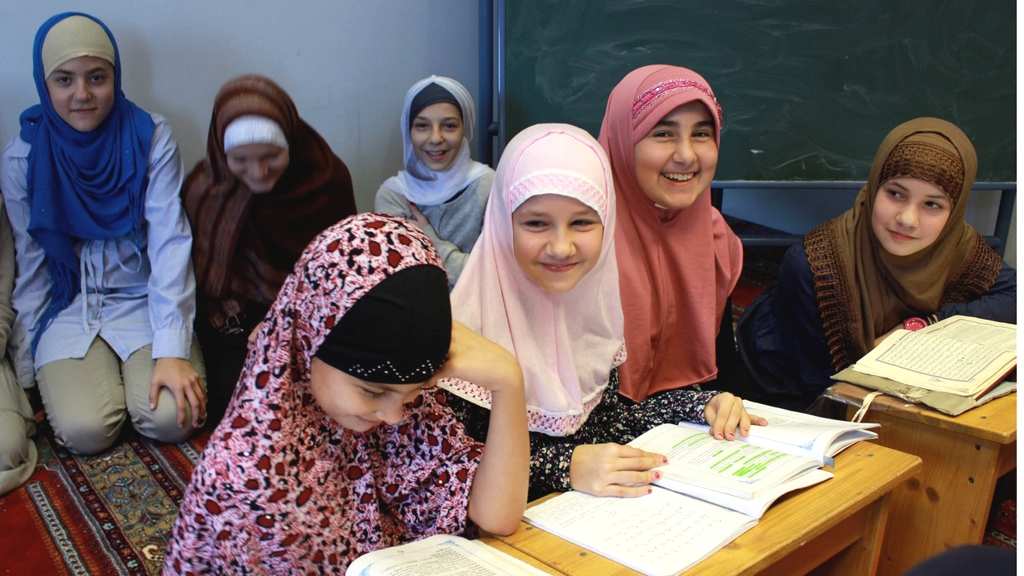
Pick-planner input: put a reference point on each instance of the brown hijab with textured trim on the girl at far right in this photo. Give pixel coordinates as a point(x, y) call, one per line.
point(864, 292)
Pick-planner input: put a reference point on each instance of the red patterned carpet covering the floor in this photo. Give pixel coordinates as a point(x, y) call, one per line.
point(112, 514)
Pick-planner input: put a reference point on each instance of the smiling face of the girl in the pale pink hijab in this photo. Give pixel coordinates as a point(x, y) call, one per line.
point(557, 240)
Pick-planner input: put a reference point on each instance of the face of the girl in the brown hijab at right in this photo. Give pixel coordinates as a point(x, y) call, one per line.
point(909, 216)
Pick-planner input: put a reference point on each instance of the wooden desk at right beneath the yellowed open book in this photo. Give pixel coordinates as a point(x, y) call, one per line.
point(963, 457)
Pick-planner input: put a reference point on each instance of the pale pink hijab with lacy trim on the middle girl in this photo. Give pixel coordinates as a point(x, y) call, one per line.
point(567, 344)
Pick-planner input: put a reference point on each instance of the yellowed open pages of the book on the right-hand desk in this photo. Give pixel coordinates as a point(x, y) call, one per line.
point(960, 355)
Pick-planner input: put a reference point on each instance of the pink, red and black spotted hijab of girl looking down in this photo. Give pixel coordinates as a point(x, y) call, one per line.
point(282, 487)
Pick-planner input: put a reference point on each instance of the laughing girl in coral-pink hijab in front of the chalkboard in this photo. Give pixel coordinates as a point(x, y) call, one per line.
point(678, 260)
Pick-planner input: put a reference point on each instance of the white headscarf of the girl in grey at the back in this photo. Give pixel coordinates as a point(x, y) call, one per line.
point(418, 183)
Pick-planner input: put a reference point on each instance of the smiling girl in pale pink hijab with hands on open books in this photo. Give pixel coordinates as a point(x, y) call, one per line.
point(543, 283)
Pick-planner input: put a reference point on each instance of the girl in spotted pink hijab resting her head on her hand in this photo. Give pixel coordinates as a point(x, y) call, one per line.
point(336, 442)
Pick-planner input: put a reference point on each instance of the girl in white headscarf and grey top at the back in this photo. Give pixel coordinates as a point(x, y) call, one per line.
point(442, 190)
